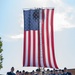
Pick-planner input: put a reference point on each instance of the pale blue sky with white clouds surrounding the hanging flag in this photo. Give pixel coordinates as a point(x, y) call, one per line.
point(11, 31)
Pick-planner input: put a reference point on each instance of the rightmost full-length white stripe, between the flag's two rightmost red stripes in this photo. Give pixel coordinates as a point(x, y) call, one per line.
point(52, 63)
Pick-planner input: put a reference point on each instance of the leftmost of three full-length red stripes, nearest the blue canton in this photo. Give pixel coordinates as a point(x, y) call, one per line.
point(43, 42)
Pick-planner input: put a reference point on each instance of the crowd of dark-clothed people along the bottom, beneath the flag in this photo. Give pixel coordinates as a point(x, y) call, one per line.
point(39, 72)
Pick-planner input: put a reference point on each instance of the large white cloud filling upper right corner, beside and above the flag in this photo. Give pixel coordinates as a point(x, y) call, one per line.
point(63, 16)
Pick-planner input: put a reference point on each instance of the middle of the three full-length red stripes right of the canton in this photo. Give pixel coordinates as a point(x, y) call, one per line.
point(47, 30)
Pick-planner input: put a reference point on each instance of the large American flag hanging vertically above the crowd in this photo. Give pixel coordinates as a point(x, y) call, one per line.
point(39, 38)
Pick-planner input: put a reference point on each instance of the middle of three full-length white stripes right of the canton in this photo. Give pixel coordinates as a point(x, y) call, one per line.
point(45, 39)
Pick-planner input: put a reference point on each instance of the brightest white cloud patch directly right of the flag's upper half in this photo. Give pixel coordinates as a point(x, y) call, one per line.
point(63, 20)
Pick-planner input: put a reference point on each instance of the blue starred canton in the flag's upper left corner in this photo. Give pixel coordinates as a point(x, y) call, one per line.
point(31, 19)
